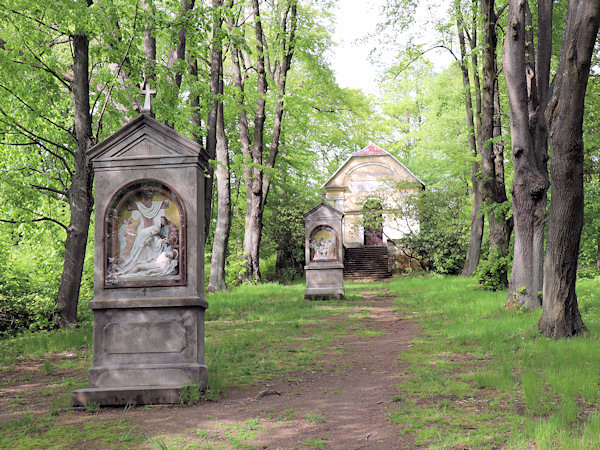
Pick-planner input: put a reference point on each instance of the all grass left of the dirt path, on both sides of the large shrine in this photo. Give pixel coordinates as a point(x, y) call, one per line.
point(253, 333)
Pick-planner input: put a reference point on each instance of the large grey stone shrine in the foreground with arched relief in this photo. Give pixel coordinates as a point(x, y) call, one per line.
point(148, 267)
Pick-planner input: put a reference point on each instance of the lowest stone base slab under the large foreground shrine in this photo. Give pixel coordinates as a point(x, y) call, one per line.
point(132, 395)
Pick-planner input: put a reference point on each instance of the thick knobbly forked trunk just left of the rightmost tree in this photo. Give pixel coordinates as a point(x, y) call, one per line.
point(527, 91)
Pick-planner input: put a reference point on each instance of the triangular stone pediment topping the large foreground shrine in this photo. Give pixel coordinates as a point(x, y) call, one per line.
point(144, 138)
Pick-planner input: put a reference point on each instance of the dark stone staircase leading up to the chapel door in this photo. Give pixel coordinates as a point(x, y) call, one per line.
point(370, 262)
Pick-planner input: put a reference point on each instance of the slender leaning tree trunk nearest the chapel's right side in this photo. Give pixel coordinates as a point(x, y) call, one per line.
point(477, 221)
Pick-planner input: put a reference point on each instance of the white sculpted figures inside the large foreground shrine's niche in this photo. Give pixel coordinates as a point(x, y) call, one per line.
point(142, 248)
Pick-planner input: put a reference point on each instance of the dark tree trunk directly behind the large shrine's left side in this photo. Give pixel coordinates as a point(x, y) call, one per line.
point(80, 192)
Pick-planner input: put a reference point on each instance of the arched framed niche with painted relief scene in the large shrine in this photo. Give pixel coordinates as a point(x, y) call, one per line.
point(144, 237)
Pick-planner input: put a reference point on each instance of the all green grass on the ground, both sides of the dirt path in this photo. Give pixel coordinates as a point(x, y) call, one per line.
point(477, 376)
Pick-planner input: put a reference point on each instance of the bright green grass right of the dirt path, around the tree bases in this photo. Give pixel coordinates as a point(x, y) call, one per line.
point(484, 377)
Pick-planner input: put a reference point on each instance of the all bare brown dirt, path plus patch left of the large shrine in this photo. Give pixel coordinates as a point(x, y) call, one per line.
point(343, 405)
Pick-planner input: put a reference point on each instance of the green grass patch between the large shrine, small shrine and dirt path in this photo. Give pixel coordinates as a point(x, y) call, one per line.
point(255, 333)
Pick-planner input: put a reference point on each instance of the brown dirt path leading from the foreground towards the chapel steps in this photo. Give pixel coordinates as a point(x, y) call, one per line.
point(342, 406)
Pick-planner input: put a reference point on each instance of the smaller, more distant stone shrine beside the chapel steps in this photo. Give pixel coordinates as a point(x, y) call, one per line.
point(324, 252)
